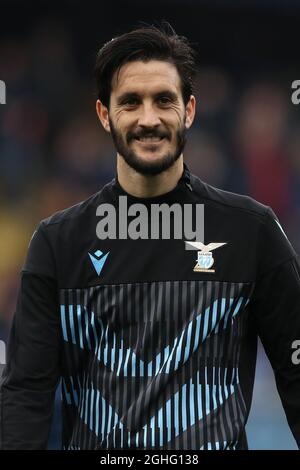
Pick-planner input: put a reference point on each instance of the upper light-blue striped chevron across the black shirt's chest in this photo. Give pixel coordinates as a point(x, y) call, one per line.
point(163, 360)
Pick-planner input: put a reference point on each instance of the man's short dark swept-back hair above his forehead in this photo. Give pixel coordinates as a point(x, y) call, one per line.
point(146, 43)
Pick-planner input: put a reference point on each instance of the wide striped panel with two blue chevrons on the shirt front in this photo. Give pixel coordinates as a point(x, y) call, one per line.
point(157, 364)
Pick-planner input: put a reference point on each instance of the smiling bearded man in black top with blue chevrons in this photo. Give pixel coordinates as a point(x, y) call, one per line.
point(155, 338)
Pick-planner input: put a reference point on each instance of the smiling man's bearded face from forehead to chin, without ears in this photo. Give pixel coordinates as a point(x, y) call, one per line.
point(147, 116)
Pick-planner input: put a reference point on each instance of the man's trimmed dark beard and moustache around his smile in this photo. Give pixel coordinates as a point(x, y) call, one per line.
point(136, 162)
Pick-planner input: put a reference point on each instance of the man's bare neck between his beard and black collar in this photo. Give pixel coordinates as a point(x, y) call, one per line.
point(139, 185)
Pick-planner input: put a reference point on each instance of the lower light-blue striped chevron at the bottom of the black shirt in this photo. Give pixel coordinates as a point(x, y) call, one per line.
point(93, 409)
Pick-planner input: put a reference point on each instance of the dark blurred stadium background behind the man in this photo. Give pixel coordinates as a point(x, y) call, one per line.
point(54, 153)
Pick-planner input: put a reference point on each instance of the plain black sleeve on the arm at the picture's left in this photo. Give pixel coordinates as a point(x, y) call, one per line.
point(32, 372)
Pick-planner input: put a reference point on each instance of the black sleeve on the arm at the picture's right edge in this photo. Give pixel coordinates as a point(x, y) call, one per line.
point(276, 308)
